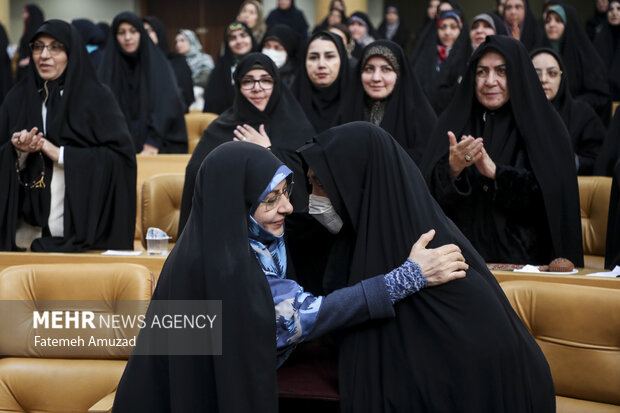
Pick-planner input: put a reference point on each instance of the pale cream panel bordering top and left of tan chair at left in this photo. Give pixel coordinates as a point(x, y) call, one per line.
point(154, 165)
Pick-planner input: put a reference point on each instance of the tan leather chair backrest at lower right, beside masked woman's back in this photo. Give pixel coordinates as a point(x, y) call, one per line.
point(578, 330)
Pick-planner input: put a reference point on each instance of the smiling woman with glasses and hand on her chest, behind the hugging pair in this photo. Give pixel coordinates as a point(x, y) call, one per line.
point(264, 111)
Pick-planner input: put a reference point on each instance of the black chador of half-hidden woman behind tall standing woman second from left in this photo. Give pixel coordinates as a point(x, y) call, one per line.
point(182, 72)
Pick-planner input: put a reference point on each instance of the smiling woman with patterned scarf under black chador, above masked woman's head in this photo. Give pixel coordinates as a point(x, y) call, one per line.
point(387, 93)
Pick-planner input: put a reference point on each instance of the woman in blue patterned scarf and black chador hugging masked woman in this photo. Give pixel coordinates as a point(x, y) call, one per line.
point(233, 250)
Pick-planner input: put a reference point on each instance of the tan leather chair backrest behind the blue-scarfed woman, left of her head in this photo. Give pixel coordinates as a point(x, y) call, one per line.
point(161, 203)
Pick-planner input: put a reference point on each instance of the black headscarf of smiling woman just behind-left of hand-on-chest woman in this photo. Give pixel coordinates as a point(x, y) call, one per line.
point(220, 90)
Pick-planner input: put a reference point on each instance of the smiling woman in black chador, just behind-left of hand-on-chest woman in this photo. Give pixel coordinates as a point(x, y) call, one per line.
point(220, 89)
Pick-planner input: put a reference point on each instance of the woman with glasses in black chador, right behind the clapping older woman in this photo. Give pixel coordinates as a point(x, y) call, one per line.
point(584, 127)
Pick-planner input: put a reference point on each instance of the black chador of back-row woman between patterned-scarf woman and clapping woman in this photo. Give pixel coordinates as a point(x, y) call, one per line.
point(440, 81)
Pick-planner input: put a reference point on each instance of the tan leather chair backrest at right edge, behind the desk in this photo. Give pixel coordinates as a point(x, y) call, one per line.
point(594, 192)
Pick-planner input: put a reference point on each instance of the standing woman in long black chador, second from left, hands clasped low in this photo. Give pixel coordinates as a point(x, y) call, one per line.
point(145, 87)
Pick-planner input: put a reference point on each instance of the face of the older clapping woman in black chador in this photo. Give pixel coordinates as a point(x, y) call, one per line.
point(491, 82)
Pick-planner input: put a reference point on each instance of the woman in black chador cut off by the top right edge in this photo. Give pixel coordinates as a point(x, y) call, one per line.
point(607, 45)
